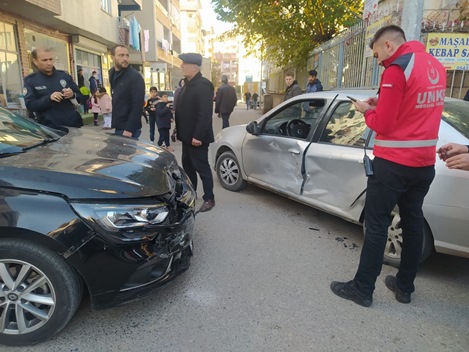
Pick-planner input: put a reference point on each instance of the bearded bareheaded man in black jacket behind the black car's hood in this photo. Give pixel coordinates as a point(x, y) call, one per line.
point(128, 94)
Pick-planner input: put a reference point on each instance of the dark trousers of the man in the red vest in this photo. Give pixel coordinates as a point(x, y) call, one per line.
point(393, 184)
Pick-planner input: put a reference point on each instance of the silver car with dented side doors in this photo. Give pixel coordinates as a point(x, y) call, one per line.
point(311, 149)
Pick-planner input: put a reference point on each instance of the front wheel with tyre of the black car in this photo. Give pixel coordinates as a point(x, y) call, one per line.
point(39, 292)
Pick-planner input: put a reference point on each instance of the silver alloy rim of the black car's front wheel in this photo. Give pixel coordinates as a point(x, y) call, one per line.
point(27, 297)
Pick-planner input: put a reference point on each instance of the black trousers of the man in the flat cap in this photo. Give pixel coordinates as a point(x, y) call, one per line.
point(195, 161)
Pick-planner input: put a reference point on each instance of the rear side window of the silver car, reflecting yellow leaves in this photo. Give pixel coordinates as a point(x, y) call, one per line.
point(346, 126)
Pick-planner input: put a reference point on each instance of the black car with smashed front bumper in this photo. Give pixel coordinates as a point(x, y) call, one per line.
point(84, 211)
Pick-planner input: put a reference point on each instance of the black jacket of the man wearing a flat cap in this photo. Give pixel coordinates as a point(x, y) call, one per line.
point(194, 111)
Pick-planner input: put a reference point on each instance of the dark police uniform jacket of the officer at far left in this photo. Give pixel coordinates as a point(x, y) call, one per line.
point(39, 88)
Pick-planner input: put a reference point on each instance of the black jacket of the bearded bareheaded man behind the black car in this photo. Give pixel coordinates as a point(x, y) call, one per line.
point(128, 97)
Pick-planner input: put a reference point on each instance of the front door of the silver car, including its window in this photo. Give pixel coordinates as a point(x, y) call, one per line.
point(274, 158)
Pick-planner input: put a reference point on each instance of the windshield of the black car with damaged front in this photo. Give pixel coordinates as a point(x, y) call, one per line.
point(18, 133)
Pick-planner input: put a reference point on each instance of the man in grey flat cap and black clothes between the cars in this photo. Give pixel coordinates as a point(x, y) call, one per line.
point(194, 125)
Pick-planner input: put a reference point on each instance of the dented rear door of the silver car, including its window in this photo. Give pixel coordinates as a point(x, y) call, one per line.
point(335, 179)
